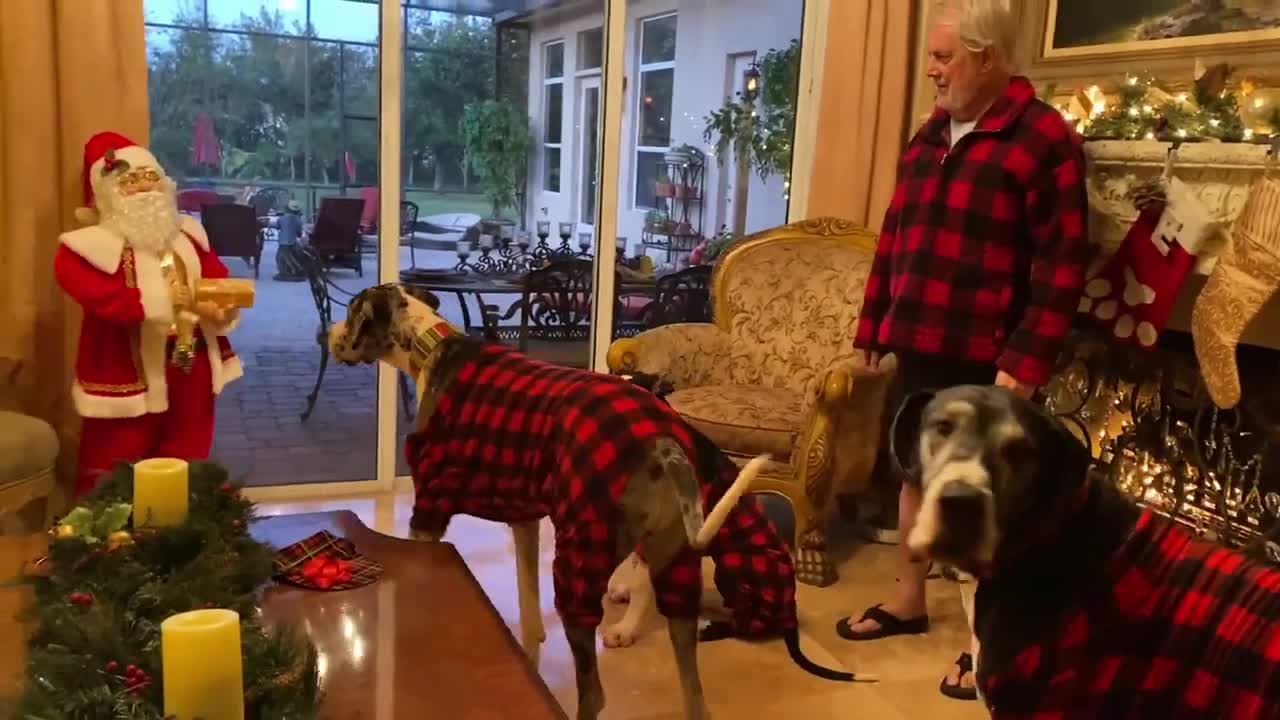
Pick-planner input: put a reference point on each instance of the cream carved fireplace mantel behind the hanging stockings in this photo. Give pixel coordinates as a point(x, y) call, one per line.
point(1222, 175)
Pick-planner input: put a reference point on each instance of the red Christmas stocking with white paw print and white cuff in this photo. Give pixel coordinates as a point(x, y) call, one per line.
point(1135, 291)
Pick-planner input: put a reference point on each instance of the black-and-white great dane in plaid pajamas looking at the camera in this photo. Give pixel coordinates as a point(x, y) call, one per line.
point(1087, 607)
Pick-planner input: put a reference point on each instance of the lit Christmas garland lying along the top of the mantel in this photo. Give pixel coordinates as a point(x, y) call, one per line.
point(1140, 110)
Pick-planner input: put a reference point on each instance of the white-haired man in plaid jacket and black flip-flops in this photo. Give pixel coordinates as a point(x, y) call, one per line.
point(981, 259)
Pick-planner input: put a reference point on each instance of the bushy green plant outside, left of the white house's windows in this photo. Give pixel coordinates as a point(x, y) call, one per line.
point(497, 140)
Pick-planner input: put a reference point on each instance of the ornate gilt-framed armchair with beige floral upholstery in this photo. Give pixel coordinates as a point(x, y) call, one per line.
point(776, 371)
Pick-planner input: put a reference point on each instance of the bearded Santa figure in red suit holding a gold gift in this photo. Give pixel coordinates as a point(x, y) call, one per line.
point(136, 400)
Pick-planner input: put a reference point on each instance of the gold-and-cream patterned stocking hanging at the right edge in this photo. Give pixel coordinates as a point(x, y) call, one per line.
point(1242, 282)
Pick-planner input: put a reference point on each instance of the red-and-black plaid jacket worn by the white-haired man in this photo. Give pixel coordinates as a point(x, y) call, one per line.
point(984, 249)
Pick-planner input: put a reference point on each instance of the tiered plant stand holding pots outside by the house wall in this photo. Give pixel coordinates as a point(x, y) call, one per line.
point(683, 200)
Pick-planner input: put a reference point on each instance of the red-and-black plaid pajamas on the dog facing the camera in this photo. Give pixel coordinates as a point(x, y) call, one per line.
point(1186, 631)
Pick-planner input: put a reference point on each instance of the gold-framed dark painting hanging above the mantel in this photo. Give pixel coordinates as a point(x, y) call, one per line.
point(1091, 28)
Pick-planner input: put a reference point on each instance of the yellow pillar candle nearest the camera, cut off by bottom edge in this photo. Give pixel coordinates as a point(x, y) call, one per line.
point(203, 676)
